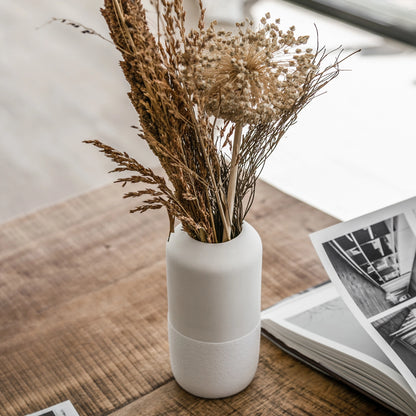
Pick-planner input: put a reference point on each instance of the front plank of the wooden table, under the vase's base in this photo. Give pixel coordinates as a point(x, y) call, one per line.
point(282, 386)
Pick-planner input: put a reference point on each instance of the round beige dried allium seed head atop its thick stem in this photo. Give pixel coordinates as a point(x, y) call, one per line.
point(251, 78)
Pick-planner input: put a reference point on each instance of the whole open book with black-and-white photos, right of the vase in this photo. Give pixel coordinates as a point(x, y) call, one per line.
point(361, 327)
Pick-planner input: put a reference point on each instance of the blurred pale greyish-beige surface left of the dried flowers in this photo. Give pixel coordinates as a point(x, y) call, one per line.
point(58, 87)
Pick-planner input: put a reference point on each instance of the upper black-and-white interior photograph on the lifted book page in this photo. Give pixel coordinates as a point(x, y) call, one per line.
point(376, 264)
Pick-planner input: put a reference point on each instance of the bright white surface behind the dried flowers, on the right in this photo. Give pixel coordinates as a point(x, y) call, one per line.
point(353, 149)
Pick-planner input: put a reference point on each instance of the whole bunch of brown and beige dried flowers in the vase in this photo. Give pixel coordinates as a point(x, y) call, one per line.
point(212, 106)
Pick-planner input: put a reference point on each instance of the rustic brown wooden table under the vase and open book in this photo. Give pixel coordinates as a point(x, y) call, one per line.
point(83, 313)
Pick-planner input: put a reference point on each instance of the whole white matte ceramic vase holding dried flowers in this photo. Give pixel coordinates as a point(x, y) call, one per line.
point(214, 295)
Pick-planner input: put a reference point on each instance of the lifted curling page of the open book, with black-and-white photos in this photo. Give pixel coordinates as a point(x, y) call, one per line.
point(371, 260)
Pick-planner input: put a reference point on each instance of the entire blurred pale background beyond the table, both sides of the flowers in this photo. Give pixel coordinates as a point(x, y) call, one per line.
point(353, 149)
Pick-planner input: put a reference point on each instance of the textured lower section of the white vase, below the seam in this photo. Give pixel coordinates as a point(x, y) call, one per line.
point(214, 370)
